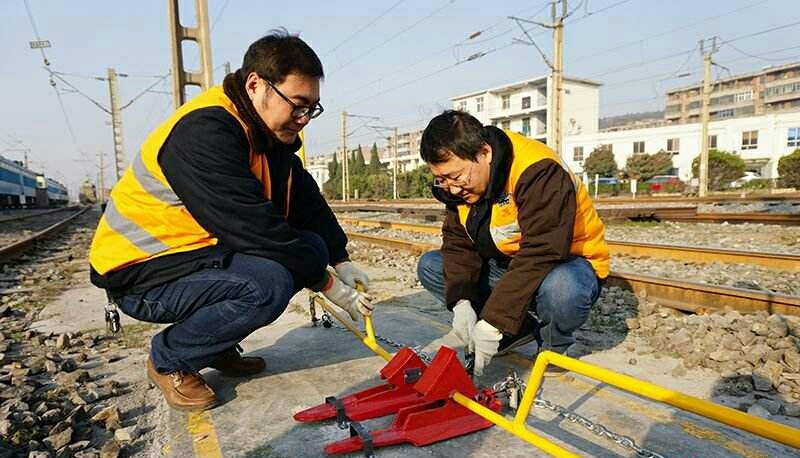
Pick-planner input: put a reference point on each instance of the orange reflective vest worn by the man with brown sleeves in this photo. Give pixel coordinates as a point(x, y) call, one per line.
point(588, 239)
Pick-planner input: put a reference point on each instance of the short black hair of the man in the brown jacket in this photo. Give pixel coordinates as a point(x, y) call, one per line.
point(455, 132)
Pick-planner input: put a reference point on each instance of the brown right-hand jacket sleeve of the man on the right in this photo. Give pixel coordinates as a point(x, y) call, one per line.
point(546, 202)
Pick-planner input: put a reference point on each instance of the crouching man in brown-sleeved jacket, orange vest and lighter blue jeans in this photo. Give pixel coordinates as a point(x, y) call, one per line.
point(523, 252)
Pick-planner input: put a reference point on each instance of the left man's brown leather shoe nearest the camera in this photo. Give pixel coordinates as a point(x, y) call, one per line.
point(182, 390)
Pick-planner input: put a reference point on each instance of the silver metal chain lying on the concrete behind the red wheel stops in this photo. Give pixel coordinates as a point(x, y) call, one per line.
point(513, 387)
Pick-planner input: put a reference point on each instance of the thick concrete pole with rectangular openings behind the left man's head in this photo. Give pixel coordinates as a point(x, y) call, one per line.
point(200, 35)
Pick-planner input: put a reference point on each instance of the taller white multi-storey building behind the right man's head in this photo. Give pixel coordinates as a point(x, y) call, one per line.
point(524, 107)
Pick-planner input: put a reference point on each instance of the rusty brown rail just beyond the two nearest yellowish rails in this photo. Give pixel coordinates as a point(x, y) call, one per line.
point(680, 214)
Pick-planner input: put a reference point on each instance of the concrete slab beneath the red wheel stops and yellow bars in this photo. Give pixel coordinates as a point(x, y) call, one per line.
point(306, 364)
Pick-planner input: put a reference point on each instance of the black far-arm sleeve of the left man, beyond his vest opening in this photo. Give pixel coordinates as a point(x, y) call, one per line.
point(309, 211)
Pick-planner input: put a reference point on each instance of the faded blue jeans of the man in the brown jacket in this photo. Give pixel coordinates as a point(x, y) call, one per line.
point(561, 304)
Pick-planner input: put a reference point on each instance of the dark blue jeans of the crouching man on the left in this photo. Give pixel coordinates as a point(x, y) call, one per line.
point(212, 310)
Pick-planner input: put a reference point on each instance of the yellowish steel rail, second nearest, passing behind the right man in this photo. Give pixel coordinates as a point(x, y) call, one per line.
point(773, 261)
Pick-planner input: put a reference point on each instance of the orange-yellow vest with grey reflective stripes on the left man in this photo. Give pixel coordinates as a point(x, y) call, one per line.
point(144, 218)
